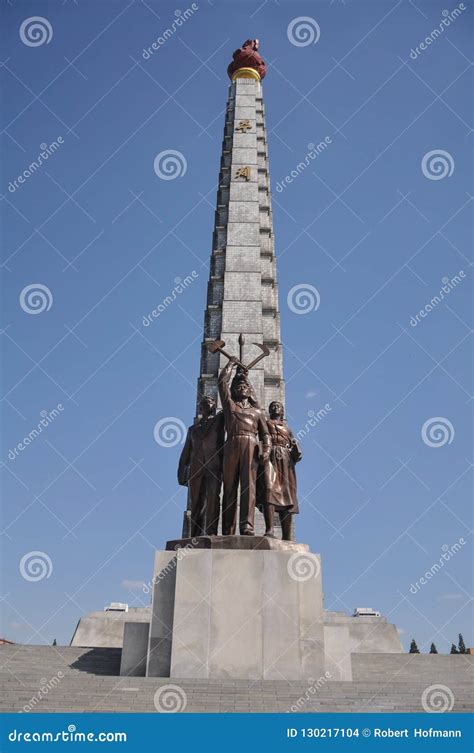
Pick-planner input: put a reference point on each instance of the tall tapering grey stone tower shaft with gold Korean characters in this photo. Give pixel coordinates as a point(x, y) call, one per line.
point(242, 296)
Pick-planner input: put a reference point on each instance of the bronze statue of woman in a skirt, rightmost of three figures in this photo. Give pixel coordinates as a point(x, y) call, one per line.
point(279, 473)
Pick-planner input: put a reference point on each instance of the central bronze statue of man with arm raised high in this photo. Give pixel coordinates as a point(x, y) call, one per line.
point(245, 425)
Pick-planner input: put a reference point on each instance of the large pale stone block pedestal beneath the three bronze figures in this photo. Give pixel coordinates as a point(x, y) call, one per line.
point(237, 613)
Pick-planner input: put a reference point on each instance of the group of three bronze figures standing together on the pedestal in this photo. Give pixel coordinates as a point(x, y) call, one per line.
point(239, 448)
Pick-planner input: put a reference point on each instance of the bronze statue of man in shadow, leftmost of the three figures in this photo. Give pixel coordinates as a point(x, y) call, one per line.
point(200, 468)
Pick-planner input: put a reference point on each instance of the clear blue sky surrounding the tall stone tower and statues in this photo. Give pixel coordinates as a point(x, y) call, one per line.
point(375, 223)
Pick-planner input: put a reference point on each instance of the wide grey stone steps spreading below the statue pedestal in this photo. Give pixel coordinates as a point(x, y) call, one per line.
point(72, 679)
